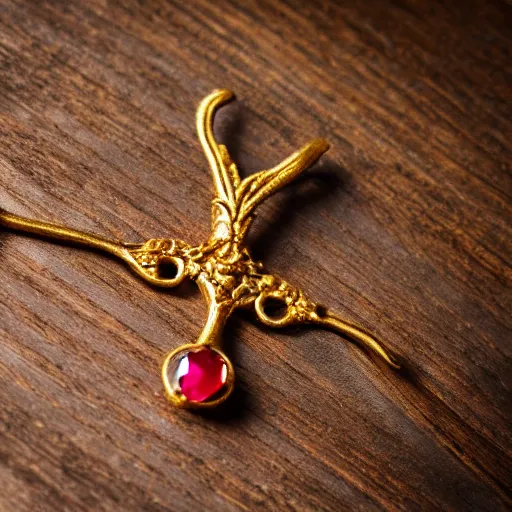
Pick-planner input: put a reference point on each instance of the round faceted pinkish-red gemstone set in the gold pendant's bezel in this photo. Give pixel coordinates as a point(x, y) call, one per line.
point(201, 374)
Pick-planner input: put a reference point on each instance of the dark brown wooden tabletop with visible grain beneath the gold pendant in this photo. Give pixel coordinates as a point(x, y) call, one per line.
point(404, 226)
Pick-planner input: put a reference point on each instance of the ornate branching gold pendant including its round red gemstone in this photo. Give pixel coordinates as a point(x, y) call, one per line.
point(200, 375)
